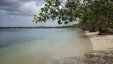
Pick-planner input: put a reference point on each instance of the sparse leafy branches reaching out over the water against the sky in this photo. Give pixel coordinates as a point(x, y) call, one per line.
point(57, 9)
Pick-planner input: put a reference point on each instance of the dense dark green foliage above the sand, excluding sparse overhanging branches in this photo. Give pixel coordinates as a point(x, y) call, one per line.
point(98, 14)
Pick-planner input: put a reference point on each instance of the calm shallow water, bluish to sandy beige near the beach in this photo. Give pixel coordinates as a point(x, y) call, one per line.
point(40, 46)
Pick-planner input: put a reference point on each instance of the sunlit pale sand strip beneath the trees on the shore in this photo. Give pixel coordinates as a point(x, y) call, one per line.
point(99, 42)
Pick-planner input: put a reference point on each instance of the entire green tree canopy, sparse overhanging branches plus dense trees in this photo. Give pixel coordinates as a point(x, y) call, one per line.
point(93, 15)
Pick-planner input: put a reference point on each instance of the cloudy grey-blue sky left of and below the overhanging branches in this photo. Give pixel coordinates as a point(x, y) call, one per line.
point(19, 13)
